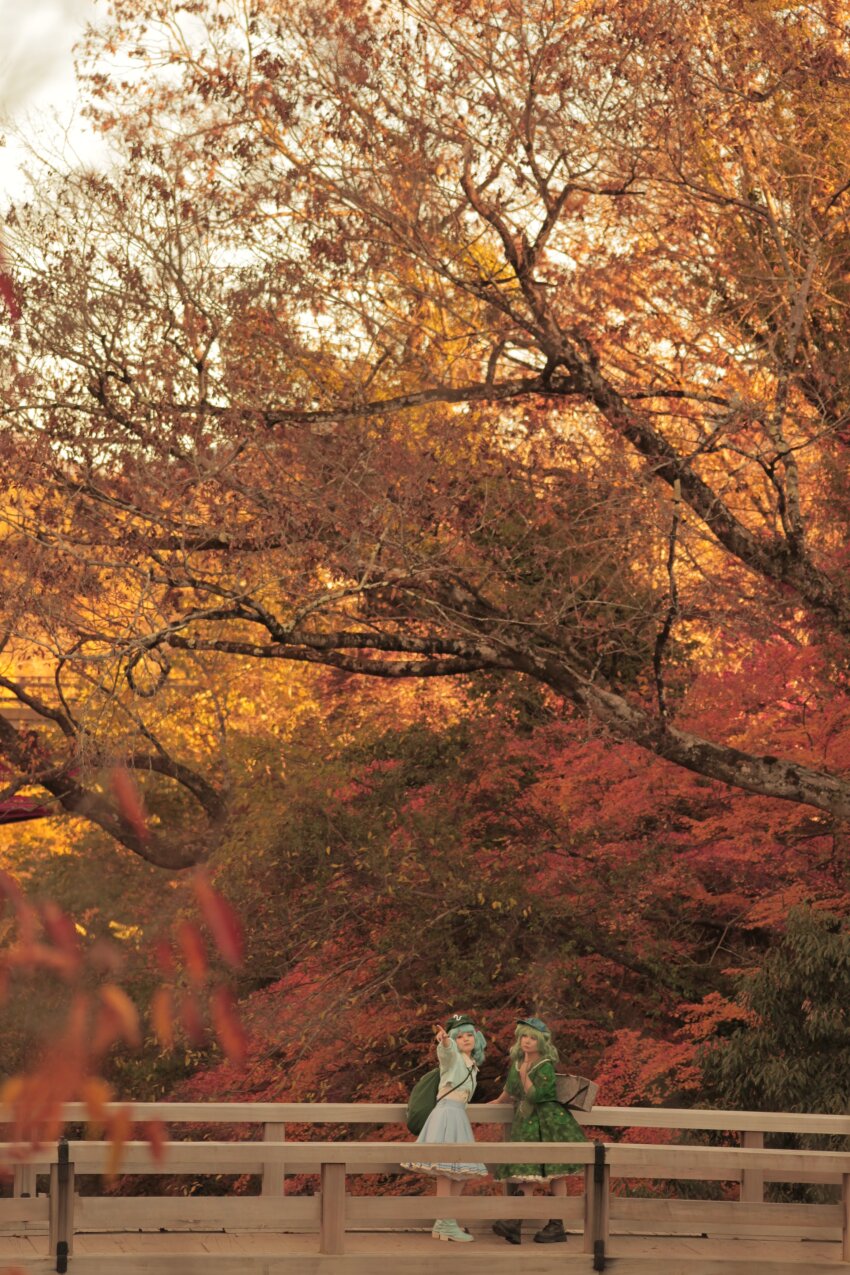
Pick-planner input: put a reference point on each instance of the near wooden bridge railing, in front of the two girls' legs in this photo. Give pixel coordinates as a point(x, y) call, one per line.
point(333, 1212)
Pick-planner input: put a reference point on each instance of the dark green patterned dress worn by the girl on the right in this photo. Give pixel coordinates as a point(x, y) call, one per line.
point(538, 1118)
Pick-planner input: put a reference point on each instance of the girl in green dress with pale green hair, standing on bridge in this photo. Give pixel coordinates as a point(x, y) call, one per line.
point(538, 1118)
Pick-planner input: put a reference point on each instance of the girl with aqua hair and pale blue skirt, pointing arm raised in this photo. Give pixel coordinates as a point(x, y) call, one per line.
point(461, 1051)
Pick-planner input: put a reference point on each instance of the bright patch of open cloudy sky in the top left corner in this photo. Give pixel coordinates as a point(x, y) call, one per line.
point(38, 90)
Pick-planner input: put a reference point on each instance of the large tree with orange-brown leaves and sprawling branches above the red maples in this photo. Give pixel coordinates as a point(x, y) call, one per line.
point(424, 341)
